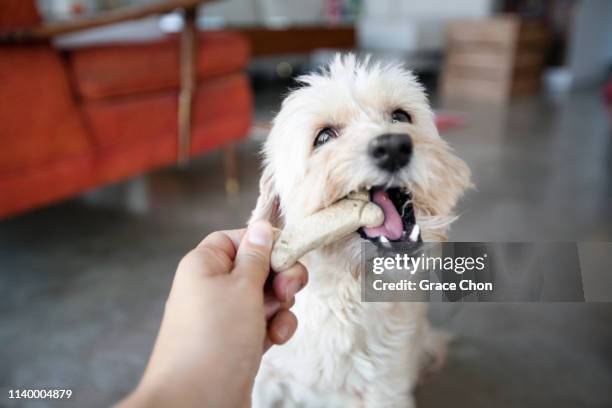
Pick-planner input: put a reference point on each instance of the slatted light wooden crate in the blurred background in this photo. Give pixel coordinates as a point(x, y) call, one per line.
point(493, 60)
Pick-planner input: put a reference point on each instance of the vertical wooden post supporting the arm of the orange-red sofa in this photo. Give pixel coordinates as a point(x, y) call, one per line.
point(188, 83)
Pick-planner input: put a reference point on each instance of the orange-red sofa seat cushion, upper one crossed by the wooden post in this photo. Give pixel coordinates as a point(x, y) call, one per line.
point(115, 70)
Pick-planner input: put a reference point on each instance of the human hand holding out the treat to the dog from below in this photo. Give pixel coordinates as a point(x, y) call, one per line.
point(219, 321)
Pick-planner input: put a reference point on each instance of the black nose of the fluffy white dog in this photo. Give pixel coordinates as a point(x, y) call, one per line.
point(391, 151)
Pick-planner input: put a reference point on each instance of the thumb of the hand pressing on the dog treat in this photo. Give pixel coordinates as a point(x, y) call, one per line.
point(253, 257)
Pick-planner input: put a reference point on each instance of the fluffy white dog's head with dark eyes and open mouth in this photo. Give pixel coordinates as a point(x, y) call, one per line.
point(361, 126)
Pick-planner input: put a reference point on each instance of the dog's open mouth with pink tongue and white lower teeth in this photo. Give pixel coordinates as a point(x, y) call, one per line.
point(400, 223)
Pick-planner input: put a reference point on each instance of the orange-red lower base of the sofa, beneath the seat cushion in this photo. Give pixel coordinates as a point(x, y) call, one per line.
point(146, 138)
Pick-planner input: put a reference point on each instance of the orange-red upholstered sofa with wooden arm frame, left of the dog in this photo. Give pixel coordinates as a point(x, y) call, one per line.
point(74, 120)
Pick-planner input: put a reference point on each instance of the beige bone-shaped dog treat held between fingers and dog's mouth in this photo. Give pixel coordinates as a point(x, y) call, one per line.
point(324, 227)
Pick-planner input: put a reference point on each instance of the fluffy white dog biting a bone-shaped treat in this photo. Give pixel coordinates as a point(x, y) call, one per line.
point(352, 126)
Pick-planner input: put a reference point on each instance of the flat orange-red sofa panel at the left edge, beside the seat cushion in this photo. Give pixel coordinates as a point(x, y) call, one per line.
point(39, 121)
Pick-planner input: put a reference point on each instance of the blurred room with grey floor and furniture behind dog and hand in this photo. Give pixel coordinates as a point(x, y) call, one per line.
point(130, 129)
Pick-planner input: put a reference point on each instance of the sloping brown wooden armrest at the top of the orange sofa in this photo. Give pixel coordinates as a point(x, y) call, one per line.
point(46, 31)
